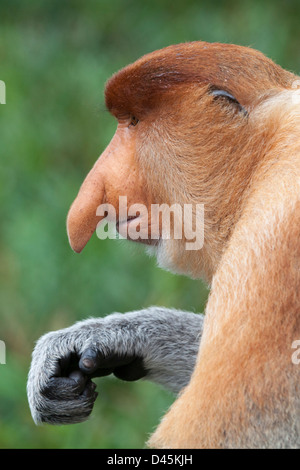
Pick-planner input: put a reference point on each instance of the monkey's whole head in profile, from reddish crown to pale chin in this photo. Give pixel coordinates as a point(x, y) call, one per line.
point(187, 134)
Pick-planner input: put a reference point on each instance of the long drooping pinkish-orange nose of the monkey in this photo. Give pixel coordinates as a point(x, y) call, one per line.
point(82, 219)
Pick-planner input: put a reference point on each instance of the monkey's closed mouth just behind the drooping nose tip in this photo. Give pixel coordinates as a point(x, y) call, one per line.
point(136, 228)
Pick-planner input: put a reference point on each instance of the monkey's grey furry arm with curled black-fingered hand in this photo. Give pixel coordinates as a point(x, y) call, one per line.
point(156, 343)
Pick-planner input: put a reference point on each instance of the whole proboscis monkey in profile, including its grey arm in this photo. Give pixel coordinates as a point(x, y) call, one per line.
point(218, 125)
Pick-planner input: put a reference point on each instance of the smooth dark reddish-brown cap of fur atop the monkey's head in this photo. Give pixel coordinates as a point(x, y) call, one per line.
point(138, 88)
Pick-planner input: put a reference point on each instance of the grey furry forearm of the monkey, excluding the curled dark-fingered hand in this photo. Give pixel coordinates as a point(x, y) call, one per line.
point(168, 341)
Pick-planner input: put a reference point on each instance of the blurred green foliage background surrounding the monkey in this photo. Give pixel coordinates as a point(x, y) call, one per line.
point(55, 58)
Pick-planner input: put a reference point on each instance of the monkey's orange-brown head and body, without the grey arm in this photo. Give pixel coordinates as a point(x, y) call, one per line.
point(189, 147)
